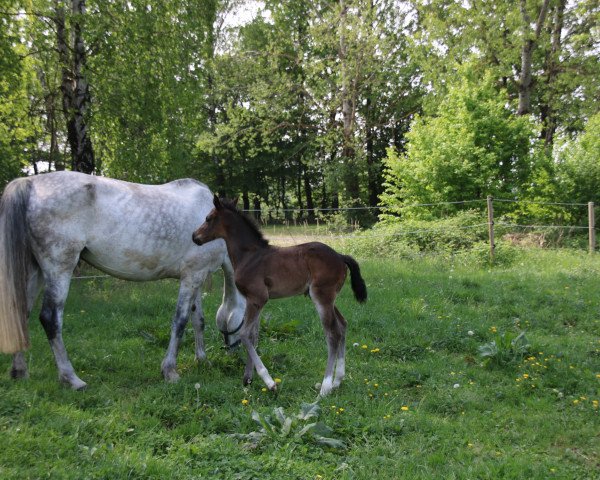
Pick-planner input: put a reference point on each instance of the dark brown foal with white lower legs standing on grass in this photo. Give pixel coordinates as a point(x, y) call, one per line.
point(263, 271)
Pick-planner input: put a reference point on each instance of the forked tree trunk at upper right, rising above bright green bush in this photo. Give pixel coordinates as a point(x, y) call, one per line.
point(529, 41)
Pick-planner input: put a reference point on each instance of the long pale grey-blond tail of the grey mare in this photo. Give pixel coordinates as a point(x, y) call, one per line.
point(15, 264)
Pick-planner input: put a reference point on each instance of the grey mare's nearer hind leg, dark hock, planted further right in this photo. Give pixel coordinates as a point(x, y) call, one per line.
point(51, 317)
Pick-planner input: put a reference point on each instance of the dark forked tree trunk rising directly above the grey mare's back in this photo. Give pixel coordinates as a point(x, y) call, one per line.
point(75, 89)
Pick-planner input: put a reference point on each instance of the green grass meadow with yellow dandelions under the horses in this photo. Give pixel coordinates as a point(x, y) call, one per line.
point(533, 417)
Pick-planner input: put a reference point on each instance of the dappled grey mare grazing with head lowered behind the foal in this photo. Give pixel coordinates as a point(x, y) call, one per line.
point(131, 231)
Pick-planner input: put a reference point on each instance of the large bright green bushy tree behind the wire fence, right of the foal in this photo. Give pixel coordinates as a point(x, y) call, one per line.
point(471, 147)
